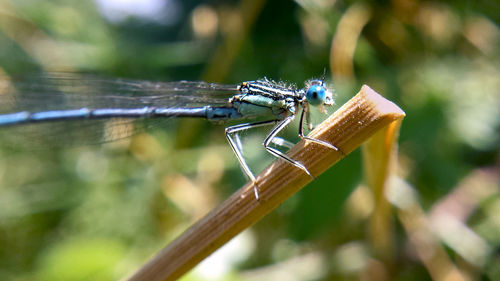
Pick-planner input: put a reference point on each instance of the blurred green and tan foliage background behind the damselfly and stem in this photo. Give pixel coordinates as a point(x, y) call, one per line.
point(99, 212)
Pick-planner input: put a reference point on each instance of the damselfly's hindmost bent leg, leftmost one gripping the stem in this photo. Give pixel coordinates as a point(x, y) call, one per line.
point(237, 147)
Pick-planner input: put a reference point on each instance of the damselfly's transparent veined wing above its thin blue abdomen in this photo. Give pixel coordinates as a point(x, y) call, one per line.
point(58, 91)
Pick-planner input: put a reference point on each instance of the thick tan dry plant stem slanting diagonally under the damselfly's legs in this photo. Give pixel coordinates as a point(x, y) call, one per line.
point(347, 129)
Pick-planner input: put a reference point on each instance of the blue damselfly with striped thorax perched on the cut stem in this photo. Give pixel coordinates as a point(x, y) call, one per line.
point(63, 97)
